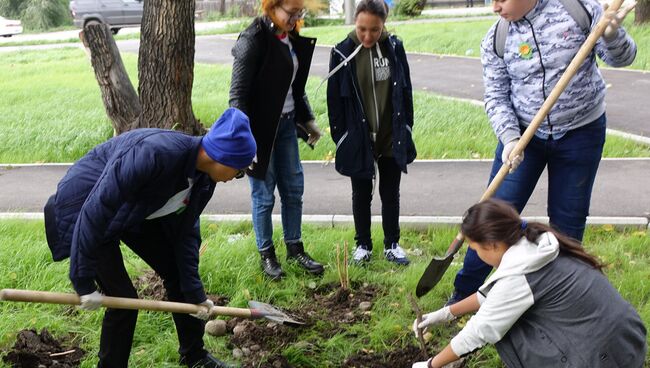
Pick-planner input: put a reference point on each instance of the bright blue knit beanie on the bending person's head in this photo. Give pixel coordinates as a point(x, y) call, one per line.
point(230, 141)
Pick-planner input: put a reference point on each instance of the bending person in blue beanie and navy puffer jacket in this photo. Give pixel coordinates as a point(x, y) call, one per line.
point(145, 188)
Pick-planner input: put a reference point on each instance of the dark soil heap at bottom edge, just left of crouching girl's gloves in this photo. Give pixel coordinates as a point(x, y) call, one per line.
point(402, 358)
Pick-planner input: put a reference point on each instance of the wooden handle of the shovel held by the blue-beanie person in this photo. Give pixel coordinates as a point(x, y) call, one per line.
point(121, 303)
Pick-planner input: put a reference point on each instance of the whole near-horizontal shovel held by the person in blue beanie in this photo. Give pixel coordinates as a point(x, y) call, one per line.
point(257, 309)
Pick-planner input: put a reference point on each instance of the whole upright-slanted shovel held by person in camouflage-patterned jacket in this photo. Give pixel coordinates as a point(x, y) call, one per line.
point(436, 269)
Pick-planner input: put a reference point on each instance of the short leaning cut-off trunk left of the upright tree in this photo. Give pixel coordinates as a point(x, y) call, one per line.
point(120, 100)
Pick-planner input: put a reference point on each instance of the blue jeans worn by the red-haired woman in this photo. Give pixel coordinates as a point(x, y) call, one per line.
point(285, 172)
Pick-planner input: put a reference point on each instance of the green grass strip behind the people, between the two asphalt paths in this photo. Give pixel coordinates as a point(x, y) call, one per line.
point(51, 111)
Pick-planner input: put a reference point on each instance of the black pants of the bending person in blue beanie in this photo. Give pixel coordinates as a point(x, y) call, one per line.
point(148, 242)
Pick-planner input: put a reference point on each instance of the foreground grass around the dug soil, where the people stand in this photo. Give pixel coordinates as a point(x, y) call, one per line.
point(229, 267)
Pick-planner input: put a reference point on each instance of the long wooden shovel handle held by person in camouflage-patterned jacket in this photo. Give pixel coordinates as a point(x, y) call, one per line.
point(548, 104)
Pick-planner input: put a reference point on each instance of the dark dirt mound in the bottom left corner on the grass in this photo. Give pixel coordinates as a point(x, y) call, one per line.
point(33, 350)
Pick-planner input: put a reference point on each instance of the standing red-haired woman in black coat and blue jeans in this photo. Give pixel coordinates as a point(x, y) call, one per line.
point(270, 69)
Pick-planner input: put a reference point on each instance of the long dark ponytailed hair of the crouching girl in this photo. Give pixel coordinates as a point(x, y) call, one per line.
point(497, 221)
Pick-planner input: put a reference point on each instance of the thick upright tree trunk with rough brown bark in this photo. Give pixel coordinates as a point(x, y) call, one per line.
point(166, 66)
